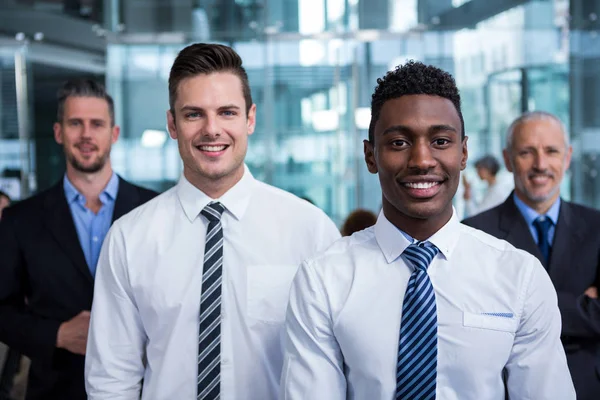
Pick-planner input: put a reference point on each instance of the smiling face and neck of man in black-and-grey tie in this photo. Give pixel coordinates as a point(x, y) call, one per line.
point(212, 129)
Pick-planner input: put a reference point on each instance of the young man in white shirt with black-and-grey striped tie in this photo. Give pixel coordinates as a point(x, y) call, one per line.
point(191, 289)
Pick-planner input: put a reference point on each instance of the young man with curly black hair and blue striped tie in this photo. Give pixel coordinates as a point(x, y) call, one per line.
point(420, 306)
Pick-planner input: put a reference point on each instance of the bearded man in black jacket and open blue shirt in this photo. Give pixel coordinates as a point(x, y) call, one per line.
point(51, 242)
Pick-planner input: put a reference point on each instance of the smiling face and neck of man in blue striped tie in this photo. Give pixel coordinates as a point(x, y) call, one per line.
point(418, 154)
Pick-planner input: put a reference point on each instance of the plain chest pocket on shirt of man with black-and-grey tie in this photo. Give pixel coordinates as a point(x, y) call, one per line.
point(268, 291)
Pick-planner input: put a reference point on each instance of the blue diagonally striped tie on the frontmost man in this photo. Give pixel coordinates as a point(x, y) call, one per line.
point(417, 351)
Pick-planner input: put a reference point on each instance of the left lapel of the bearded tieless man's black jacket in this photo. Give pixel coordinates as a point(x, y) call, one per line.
point(60, 223)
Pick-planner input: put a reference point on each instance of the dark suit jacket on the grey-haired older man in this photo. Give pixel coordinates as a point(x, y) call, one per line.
point(574, 266)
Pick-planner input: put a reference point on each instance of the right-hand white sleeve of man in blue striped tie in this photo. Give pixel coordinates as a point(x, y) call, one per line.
point(537, 366)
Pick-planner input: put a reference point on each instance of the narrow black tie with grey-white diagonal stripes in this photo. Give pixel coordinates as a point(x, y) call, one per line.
point(209, 348)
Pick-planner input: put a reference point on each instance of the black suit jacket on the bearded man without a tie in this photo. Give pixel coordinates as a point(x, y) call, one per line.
point(41, 261)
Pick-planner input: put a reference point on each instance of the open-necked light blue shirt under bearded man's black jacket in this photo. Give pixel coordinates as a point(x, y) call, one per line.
point(92, 228)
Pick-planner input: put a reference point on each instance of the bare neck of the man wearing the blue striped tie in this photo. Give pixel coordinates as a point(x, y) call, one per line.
point(418, 228)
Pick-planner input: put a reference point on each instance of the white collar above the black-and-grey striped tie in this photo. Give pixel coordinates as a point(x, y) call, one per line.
point(235, 200)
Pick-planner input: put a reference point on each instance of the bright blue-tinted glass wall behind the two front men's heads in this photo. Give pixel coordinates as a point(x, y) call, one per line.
point(313, 66)
